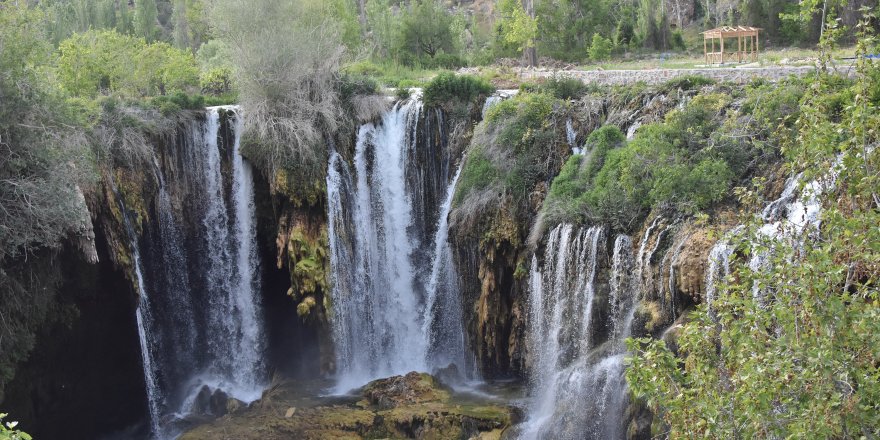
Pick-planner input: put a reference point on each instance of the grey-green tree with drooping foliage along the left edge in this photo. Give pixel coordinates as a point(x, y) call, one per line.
point(45, 165)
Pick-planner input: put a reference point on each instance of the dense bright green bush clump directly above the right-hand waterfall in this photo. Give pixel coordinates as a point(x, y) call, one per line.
point(678, 164)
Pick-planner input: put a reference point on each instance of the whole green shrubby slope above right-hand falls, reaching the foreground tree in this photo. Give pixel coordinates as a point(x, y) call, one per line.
point(688, 163)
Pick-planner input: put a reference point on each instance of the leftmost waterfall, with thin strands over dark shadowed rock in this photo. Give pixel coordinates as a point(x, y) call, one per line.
point(200, 315)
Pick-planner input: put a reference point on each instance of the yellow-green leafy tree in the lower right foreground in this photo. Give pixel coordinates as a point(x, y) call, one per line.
point(801, 360)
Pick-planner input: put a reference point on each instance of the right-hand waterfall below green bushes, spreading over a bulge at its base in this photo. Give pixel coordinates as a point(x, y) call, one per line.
point(577, 384)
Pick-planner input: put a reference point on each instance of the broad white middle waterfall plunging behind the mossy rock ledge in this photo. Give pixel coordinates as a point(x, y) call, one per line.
point(390, 315)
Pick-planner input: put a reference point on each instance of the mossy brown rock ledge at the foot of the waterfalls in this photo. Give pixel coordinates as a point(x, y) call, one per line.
point(412, 406)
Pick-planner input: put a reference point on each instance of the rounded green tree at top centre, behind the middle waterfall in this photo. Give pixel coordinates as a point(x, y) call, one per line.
point(427, 28)
